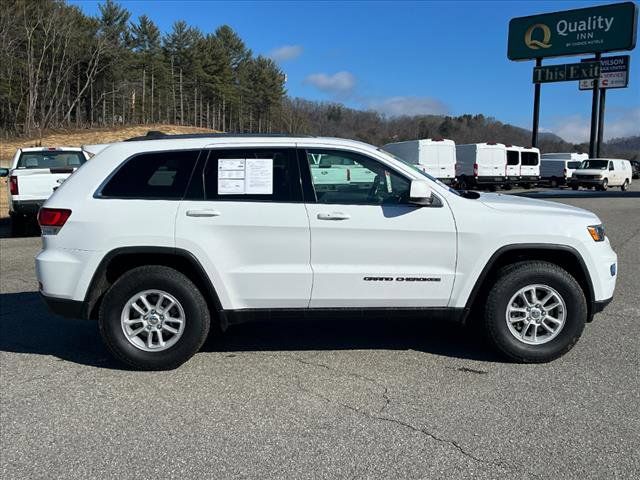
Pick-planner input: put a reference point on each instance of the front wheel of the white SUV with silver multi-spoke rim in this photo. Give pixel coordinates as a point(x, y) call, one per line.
point(535, 312)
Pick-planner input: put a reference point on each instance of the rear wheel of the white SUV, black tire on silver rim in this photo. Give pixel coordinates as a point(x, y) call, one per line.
point(190, 306)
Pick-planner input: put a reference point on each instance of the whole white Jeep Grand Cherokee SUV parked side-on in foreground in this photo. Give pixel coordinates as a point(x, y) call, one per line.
point(158, 239)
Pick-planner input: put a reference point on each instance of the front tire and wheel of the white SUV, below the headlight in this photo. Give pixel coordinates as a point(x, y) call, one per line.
point(513, 279)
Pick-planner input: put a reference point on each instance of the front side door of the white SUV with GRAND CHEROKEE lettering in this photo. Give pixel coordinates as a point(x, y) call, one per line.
point(370, 247)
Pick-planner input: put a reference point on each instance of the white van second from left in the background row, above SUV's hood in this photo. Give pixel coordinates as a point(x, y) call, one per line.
point(481, 165)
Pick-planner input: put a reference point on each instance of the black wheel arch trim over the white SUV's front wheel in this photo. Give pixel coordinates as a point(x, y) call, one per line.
point(564, 256)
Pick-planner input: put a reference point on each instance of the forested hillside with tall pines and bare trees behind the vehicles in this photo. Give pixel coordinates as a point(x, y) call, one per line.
point(62, 69)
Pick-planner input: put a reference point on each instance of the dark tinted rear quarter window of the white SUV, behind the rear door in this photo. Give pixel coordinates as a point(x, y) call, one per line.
point(160, 175)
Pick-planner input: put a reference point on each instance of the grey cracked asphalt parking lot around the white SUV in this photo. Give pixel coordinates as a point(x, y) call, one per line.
point(345, 399)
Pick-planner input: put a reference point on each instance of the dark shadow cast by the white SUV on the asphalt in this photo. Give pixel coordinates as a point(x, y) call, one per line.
point(26, 326)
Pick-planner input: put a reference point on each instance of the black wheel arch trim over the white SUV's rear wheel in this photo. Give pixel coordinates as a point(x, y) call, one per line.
point(121, 260)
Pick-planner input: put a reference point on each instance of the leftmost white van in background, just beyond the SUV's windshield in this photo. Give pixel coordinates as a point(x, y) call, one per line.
point(437, 157)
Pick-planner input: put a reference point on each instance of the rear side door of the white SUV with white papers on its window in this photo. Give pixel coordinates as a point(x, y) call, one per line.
point(245, 221)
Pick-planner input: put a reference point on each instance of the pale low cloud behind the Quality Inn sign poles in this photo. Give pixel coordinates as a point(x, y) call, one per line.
point(618, 123)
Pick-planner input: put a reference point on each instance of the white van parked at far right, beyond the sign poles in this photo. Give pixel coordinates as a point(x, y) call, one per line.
point(602, 173)
